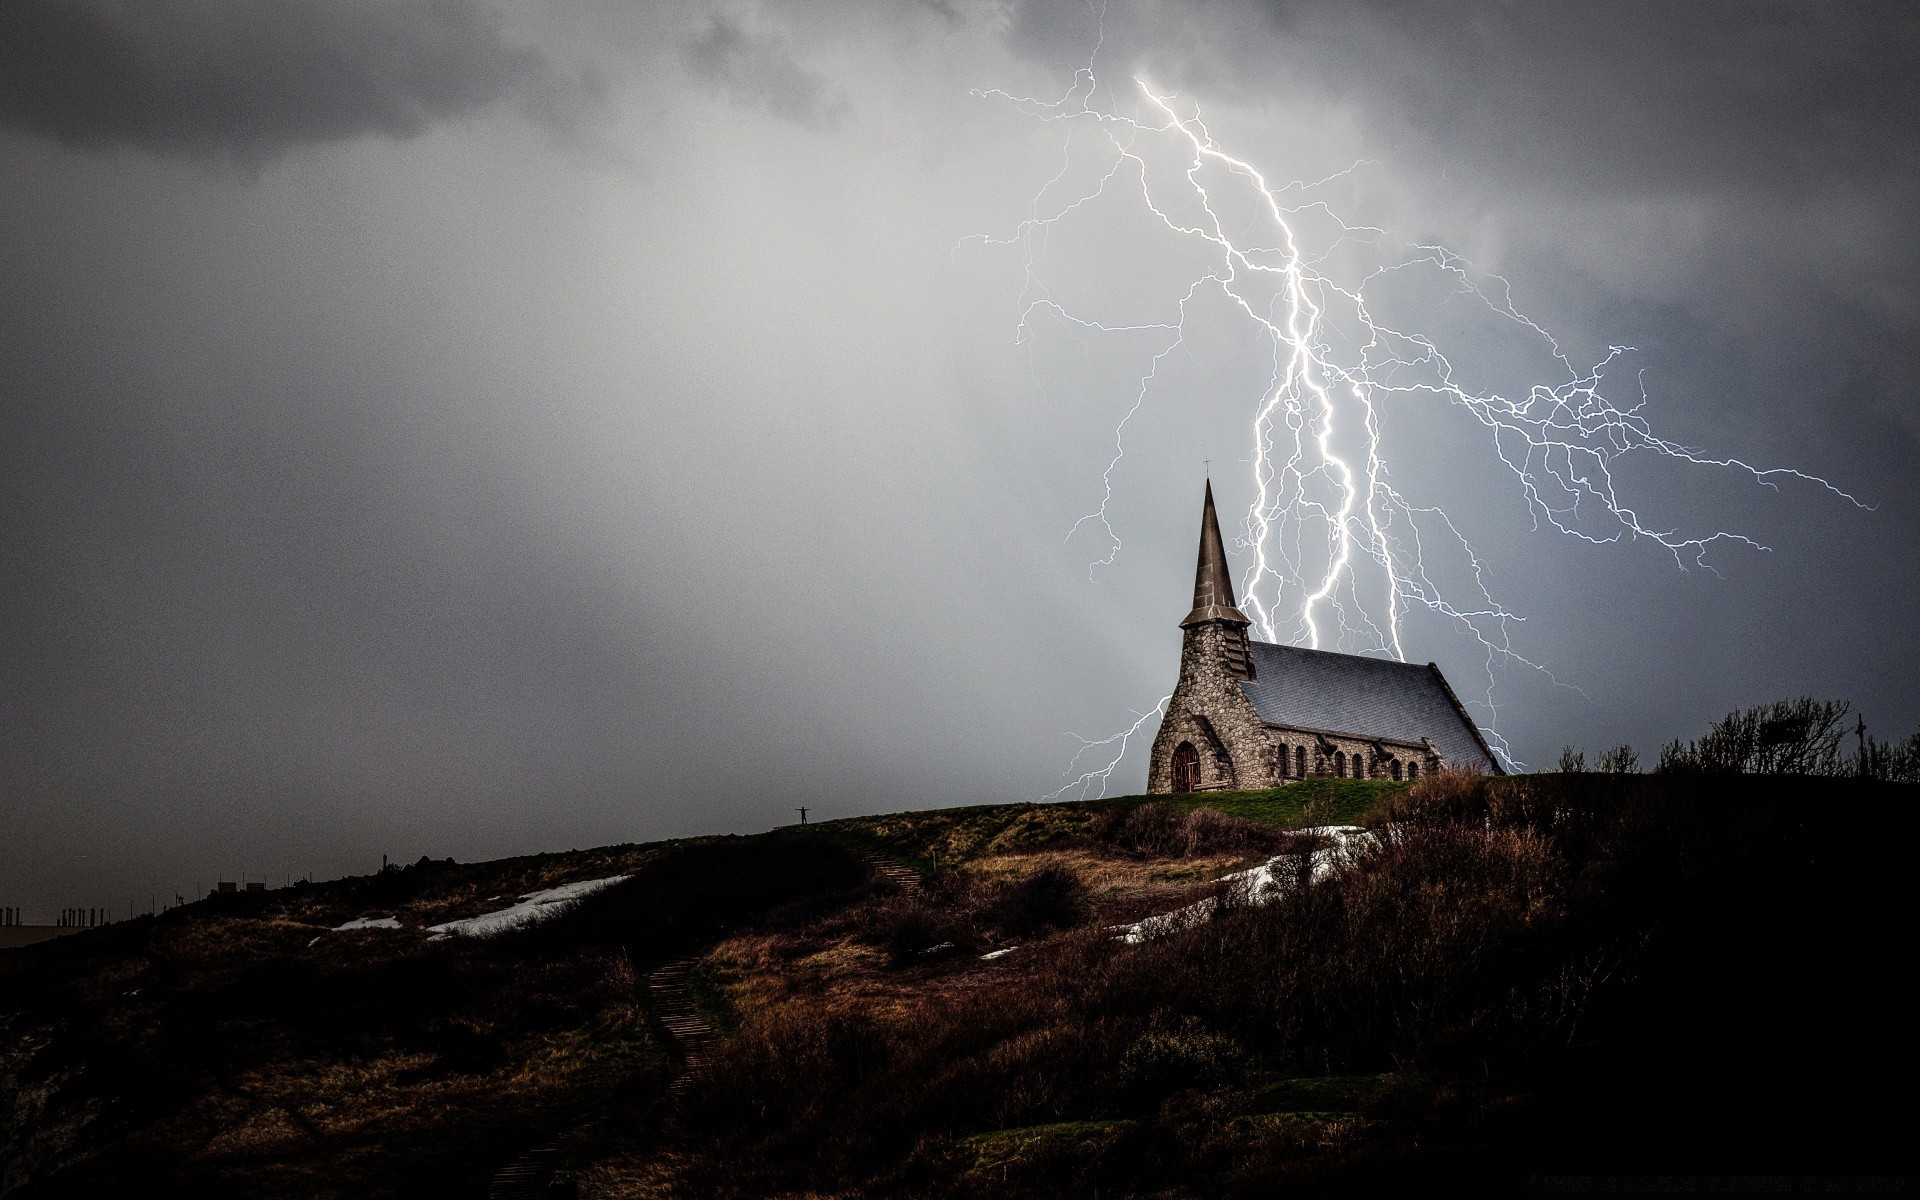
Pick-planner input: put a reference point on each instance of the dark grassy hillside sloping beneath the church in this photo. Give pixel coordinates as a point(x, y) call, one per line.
point(1545, 974)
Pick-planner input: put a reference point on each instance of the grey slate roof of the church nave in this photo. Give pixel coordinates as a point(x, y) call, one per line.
point(1364, 698)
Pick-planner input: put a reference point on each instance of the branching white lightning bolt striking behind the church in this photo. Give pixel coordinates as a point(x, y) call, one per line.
point(1341, 554)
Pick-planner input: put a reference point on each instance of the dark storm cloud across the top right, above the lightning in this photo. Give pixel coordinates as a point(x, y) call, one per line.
point(1769, 153)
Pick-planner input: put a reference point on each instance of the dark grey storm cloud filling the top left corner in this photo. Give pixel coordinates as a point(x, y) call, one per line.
point(251, 80)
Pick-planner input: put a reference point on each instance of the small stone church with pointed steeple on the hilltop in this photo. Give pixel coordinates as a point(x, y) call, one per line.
point(1255, 715)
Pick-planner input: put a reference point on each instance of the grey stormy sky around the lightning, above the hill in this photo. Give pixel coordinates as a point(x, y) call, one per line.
point(460, 431)
